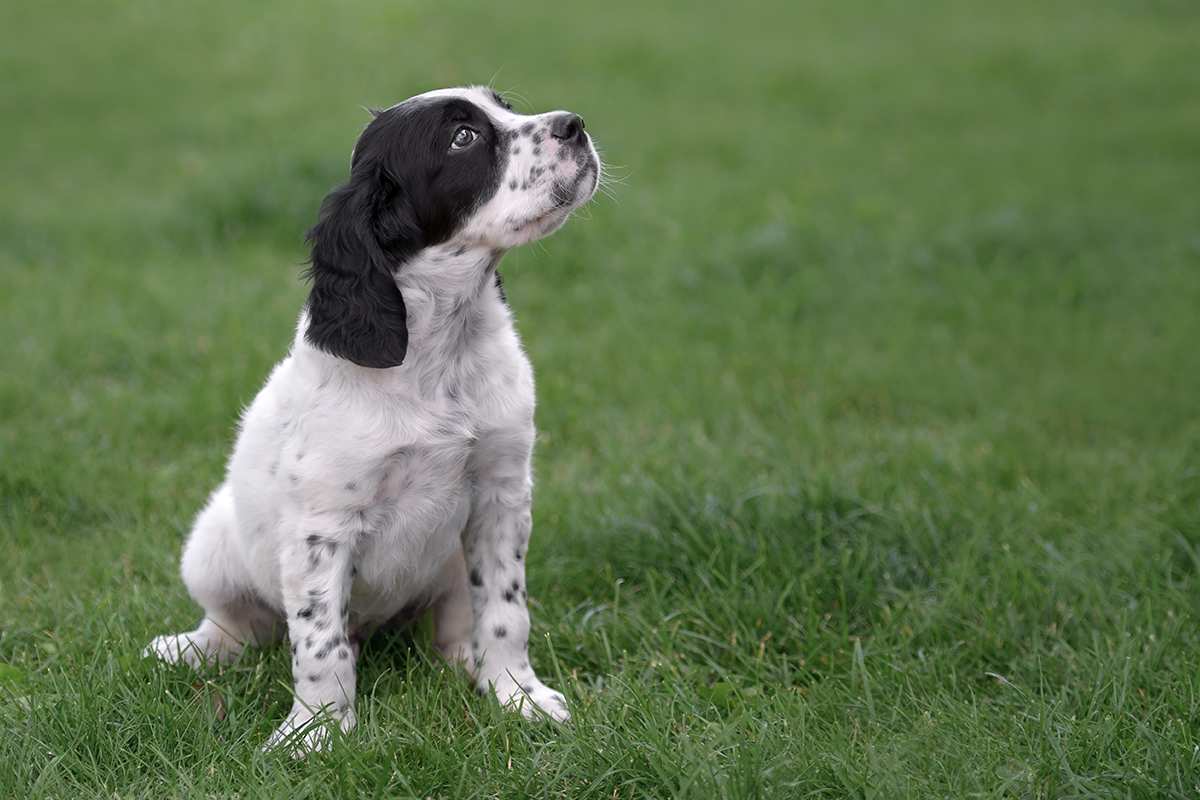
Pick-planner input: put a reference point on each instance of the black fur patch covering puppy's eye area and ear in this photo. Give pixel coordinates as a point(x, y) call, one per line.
point(407, 191)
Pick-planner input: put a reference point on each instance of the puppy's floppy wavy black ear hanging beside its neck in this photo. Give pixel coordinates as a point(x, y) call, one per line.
point(364, 233)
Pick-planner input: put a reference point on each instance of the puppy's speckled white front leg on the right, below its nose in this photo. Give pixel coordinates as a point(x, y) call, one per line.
point(495, 545)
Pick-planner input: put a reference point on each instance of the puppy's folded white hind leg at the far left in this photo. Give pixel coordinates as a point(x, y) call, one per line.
point(215, 576)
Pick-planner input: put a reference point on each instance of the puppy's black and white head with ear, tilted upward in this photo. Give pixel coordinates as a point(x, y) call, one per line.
point(451, 166)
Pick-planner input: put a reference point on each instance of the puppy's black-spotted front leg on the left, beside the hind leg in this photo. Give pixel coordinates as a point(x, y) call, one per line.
point(317, 572)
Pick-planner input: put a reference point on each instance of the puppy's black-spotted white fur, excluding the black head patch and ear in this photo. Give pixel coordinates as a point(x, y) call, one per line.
point(358, 497)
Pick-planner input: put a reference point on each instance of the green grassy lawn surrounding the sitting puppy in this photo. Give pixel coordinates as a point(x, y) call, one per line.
point(869, 459)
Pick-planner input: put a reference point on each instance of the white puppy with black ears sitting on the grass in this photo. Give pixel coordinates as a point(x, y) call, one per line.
point(385, 470)
